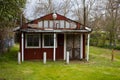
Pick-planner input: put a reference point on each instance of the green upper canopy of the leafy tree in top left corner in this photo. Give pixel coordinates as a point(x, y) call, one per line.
point(10, 9)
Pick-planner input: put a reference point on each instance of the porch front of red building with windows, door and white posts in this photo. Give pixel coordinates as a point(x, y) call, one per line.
point(55, 45)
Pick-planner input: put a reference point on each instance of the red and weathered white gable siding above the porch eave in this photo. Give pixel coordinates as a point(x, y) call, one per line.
point(49, 17)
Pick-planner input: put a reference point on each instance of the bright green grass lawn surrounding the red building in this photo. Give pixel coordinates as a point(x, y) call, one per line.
point(99, 67)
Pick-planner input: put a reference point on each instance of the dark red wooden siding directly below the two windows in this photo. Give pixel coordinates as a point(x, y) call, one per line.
point(37, 53)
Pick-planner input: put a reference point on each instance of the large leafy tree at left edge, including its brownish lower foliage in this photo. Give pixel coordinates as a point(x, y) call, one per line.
point(9, 13)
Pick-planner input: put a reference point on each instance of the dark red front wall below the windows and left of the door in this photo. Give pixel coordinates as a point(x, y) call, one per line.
point(37, 53)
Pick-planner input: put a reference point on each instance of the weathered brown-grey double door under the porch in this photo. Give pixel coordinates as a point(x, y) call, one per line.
point(73, 45)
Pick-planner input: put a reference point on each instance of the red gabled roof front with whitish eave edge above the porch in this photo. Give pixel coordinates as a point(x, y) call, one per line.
point(27, 28)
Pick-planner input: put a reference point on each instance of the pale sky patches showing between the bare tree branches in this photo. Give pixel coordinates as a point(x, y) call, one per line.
point(30, 11)
